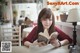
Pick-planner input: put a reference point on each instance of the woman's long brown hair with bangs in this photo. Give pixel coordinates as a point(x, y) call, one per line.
point(45, 13)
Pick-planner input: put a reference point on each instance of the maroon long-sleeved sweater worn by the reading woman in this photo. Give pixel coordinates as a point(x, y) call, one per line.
point(33, 35)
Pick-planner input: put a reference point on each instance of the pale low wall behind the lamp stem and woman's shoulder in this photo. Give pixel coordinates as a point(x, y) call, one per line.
point(67, 28)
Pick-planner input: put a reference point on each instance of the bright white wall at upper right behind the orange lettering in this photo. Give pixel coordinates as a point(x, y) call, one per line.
point(63, 8)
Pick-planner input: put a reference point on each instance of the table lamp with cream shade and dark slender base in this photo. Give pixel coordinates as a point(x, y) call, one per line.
point(73, 17)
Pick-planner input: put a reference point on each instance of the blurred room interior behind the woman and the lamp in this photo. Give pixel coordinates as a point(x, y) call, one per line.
point(19, 17)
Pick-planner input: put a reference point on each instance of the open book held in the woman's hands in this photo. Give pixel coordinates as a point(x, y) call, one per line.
point(44, 36)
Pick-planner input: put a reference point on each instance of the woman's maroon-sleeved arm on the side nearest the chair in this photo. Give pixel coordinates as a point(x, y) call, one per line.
point(31, 37)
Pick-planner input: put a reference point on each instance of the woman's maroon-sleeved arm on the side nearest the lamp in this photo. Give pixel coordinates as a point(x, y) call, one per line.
point(62, 36)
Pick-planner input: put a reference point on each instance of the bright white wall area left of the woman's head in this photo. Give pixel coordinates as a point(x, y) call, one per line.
point(29, 8)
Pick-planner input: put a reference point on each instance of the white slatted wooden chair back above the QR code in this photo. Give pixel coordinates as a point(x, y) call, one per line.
point(14, 33)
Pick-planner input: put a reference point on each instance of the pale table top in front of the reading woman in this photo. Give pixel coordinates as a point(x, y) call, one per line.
point(48, 49)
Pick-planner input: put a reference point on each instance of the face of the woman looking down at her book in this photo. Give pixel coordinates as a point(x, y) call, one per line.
point(46, 22)
